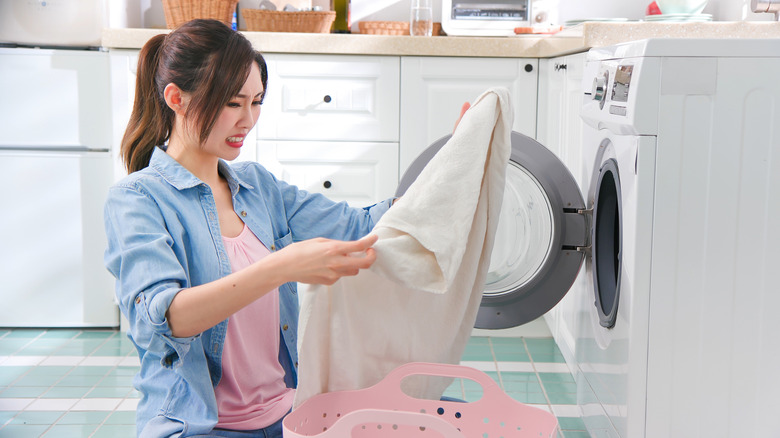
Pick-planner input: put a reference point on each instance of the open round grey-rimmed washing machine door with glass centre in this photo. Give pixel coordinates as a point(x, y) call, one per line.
point(541, 235)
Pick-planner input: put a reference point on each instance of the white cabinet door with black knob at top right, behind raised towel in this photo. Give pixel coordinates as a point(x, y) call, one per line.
point(434, 89)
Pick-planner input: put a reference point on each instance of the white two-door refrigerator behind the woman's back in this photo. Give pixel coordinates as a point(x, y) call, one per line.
point(55, 170)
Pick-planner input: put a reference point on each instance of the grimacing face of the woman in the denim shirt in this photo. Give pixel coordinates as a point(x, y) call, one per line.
point(236, 119)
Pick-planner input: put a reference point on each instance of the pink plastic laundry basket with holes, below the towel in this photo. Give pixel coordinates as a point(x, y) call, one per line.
point(384, 410)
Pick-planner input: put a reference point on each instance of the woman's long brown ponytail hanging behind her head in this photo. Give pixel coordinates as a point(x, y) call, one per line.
point(151, 119)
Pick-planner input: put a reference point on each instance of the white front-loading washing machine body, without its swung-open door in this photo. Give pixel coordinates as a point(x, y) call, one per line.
point(678, 335)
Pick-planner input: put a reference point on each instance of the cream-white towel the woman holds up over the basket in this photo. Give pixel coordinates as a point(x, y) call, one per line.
point(419, 300)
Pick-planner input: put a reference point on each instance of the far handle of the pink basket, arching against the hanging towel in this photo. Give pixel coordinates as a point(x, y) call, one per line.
point(393, 379)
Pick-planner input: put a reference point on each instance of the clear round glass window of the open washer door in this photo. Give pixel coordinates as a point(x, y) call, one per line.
point(525, 233)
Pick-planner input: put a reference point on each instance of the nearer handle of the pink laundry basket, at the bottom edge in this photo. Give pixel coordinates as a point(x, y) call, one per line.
point(347, 423)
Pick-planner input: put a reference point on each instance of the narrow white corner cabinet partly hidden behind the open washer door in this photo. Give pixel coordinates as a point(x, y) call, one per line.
point(560, 129)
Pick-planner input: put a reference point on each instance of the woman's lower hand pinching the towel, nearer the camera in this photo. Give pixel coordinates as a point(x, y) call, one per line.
point(324, 261)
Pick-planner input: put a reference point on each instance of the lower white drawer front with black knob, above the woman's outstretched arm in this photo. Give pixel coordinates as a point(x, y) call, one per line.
point(359, 173)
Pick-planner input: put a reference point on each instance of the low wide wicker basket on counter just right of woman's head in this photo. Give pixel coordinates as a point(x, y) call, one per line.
point(261, 20)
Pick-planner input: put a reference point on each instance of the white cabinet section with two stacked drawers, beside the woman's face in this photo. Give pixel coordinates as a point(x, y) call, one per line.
point(329, 124)
